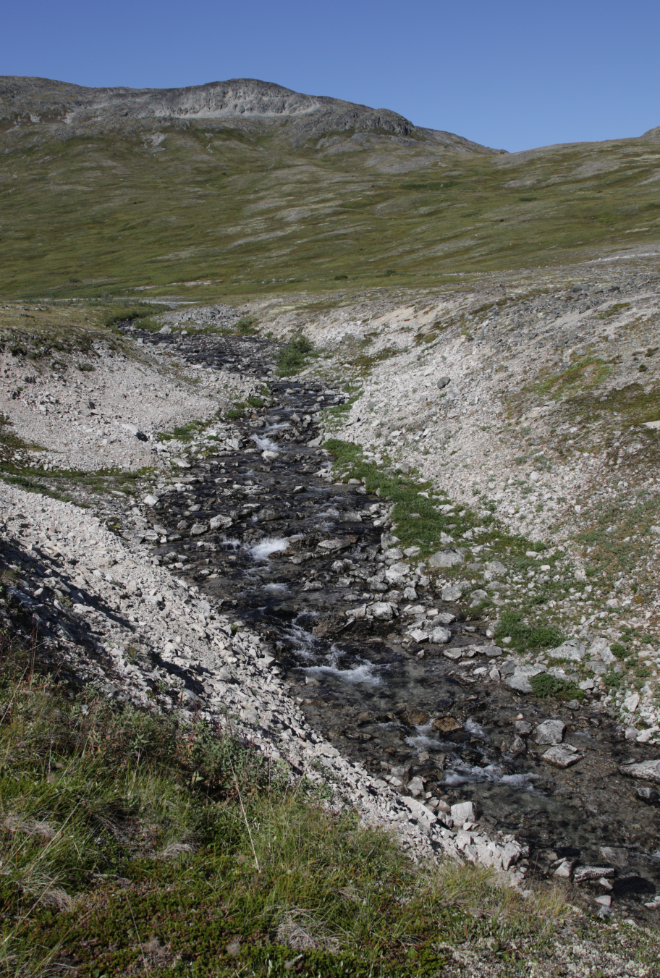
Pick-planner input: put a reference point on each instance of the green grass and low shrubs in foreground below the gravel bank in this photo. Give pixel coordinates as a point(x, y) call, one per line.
point(133, 843)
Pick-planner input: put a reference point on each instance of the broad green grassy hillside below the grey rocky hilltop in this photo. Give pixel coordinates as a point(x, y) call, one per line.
point(241, 212)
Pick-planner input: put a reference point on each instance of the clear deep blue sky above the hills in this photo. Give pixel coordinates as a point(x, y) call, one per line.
point(506, 73)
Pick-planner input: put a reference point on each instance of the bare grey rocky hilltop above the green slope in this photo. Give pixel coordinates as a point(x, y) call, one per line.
point(238, 103)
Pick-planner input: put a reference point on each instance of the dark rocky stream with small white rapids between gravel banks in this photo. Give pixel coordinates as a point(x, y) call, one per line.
point(295, 551)
